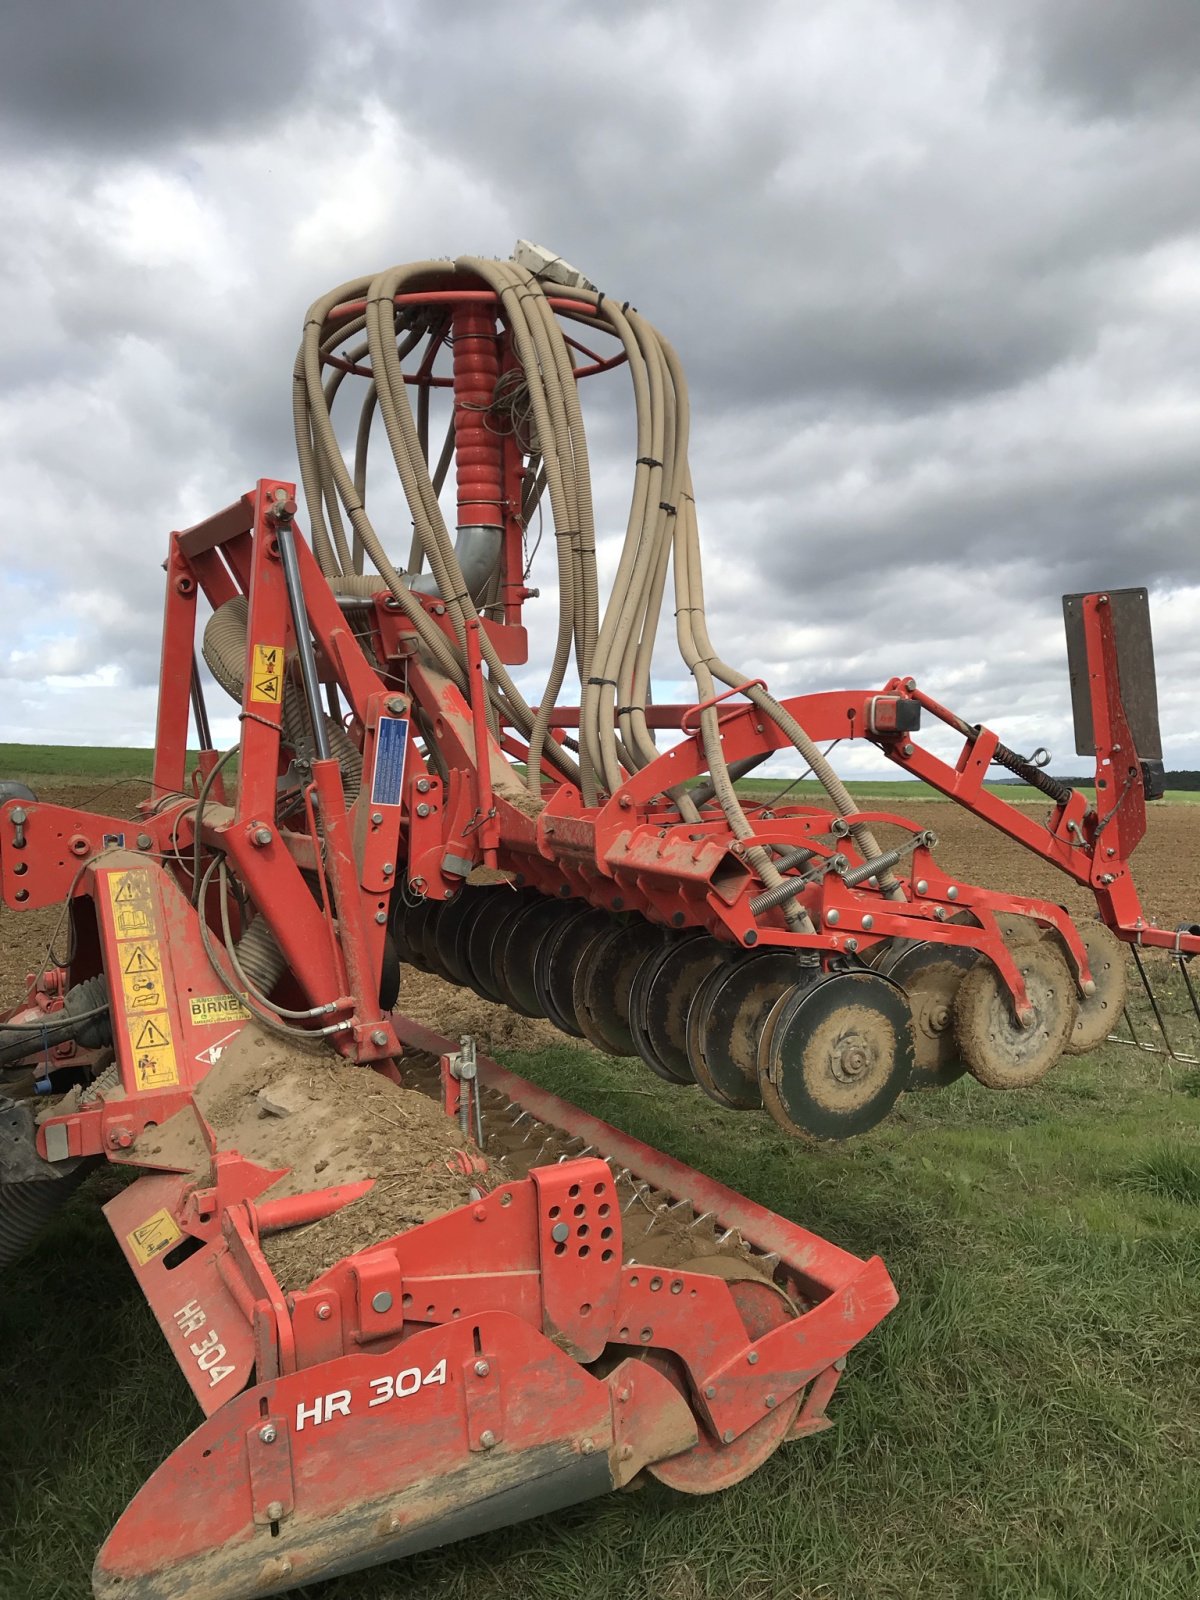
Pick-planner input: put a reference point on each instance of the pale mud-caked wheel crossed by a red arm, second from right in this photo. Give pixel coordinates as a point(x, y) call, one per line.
point(998, 1050)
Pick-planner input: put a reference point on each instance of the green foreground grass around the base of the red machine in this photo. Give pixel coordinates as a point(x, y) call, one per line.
point(1026, 1426)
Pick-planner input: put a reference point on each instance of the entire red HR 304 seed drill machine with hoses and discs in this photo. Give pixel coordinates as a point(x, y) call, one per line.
point(414, 1295)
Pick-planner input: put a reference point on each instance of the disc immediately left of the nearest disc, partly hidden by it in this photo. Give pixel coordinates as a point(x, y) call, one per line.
point(726, 1025)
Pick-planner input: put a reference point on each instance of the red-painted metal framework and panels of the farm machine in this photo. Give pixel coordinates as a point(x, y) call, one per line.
point(484, 1305)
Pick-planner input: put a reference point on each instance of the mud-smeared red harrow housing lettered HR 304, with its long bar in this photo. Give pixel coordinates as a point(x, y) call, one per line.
point(439, 1383)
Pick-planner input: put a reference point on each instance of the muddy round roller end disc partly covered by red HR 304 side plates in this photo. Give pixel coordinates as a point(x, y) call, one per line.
point(713, 1465)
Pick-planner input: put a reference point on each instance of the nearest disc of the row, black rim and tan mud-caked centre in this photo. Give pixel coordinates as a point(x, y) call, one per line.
point(839, 1057)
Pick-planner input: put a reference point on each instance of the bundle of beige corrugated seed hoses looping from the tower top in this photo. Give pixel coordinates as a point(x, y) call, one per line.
point(609, 647)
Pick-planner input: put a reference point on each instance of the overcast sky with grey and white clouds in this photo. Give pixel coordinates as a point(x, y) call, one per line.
point(934, 270)
